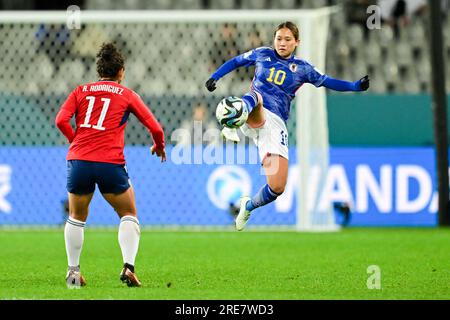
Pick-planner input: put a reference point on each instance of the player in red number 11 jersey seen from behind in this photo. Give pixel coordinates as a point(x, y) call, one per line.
point(96, 156)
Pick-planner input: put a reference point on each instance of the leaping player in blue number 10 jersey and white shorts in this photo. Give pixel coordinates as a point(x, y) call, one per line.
point(278, 75)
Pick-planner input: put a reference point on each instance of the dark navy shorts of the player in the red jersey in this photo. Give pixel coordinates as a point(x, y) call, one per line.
point(83, 175)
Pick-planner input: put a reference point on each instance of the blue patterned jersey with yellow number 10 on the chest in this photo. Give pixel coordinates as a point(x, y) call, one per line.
point(276, 79)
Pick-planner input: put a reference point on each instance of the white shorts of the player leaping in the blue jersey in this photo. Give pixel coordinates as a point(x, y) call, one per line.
point(271, 138)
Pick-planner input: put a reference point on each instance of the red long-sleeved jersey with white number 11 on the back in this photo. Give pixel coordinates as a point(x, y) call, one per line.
point(101, 110)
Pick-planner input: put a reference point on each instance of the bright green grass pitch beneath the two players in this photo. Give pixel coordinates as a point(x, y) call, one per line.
point(414, 264)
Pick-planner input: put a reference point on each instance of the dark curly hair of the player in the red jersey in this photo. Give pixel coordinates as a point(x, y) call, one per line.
point(110, 61)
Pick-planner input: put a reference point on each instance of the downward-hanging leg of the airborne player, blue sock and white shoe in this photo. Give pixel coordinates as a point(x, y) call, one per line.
point(276, 169)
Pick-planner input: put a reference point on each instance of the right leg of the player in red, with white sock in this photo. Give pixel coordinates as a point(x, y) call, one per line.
point(129, 232)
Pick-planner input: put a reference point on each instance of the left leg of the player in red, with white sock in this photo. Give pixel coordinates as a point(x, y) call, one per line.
point(74, 237)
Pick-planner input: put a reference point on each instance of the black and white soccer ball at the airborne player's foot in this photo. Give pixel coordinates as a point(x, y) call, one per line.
point(231, 112)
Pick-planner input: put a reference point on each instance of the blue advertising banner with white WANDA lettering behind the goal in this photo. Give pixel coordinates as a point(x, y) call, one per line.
point(384, 187)
